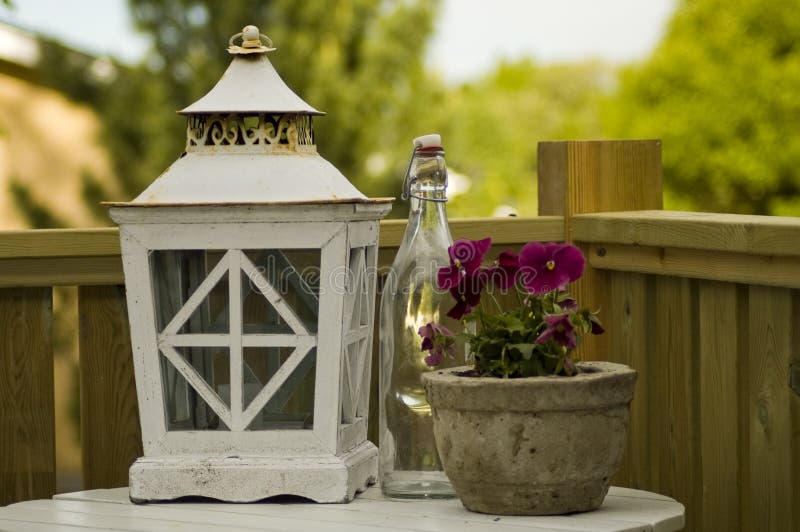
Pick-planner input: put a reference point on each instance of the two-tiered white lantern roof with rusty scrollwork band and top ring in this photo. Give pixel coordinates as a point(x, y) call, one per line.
point(250, 141)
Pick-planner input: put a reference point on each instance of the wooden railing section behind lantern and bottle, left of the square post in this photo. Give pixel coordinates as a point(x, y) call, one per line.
point(31, 263)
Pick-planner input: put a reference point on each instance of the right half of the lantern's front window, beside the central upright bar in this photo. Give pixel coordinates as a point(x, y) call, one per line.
point(280, 304)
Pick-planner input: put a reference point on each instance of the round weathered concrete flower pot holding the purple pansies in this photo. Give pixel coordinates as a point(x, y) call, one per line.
point(532, 446)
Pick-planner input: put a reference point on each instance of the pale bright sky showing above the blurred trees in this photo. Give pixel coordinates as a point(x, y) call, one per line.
point(471, 35)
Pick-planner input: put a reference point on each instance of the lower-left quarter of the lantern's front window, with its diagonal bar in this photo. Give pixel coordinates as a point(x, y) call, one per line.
point(185, 408)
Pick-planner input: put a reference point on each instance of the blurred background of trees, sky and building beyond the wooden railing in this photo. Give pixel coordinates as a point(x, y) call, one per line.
point(89, 90)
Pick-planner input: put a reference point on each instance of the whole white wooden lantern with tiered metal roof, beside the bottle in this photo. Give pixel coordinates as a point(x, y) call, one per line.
point(249, 268)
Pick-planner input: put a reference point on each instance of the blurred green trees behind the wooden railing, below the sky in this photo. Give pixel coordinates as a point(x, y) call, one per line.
point(720, 90)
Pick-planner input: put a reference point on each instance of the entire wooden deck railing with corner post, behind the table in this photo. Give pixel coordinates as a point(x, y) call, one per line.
point(706, 307)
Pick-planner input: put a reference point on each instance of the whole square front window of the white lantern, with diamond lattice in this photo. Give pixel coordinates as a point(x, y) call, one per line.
point(264, 330)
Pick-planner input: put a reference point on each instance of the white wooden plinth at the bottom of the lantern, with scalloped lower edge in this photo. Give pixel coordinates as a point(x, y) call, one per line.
point(333, 479)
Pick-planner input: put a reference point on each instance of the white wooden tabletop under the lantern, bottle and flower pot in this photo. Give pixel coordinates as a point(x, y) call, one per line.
point(623, 510)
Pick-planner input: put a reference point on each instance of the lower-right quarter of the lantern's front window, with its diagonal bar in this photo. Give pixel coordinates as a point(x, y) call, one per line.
point(291, 399)
